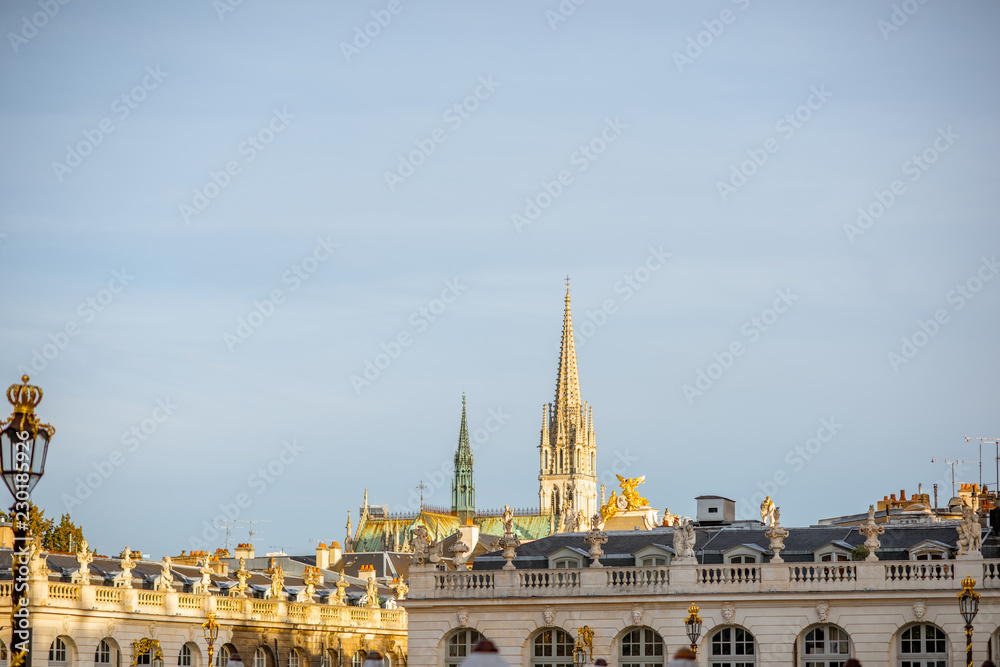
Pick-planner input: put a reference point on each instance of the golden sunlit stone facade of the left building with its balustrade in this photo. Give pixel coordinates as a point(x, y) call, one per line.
point(83, 615)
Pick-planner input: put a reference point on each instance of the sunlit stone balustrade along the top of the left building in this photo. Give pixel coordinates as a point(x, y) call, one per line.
point(56, 595)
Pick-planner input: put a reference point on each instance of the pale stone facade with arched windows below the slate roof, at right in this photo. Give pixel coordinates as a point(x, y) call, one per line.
point(870, 610)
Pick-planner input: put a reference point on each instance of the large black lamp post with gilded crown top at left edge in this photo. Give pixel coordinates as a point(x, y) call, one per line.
point(24, 444)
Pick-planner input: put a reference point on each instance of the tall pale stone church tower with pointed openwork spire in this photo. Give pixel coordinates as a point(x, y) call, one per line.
point(568, 451)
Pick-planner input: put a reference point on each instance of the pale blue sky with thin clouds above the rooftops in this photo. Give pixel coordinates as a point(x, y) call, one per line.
point(887, 94)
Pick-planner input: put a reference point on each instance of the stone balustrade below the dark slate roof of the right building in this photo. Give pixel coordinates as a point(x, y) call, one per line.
point(428, 583)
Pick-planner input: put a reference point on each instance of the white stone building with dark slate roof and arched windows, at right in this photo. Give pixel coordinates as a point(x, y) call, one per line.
point(816, 608)
